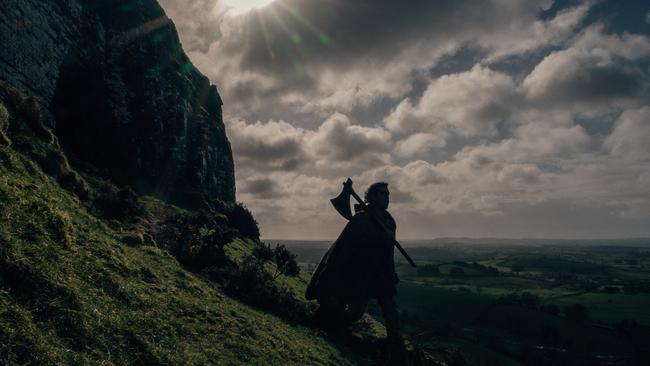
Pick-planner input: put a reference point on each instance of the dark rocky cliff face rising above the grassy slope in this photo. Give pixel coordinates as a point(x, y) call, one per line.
point(116, 88)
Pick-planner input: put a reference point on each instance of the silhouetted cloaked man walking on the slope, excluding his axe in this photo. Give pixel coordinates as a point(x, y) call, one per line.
point(358, 267)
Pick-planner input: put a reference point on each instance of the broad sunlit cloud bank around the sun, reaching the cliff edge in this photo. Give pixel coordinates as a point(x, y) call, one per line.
point(336, 56)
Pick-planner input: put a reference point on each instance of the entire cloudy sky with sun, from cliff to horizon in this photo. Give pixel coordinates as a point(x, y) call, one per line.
point(487, 118)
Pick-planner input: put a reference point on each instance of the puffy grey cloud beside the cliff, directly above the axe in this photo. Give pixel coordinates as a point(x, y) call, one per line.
point(337, 146)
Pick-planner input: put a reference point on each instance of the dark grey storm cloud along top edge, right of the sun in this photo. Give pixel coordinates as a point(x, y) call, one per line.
point(290, 33)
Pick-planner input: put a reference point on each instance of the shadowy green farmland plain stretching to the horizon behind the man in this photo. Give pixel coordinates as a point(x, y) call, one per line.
point(524, 302)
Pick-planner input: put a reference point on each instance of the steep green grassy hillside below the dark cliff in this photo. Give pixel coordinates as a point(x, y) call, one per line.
point(78, 288)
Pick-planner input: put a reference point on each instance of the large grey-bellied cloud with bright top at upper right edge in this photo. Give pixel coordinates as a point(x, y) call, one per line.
point(593, 70)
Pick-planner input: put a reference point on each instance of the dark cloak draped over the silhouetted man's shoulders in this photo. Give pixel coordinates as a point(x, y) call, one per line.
point(359, 264)
